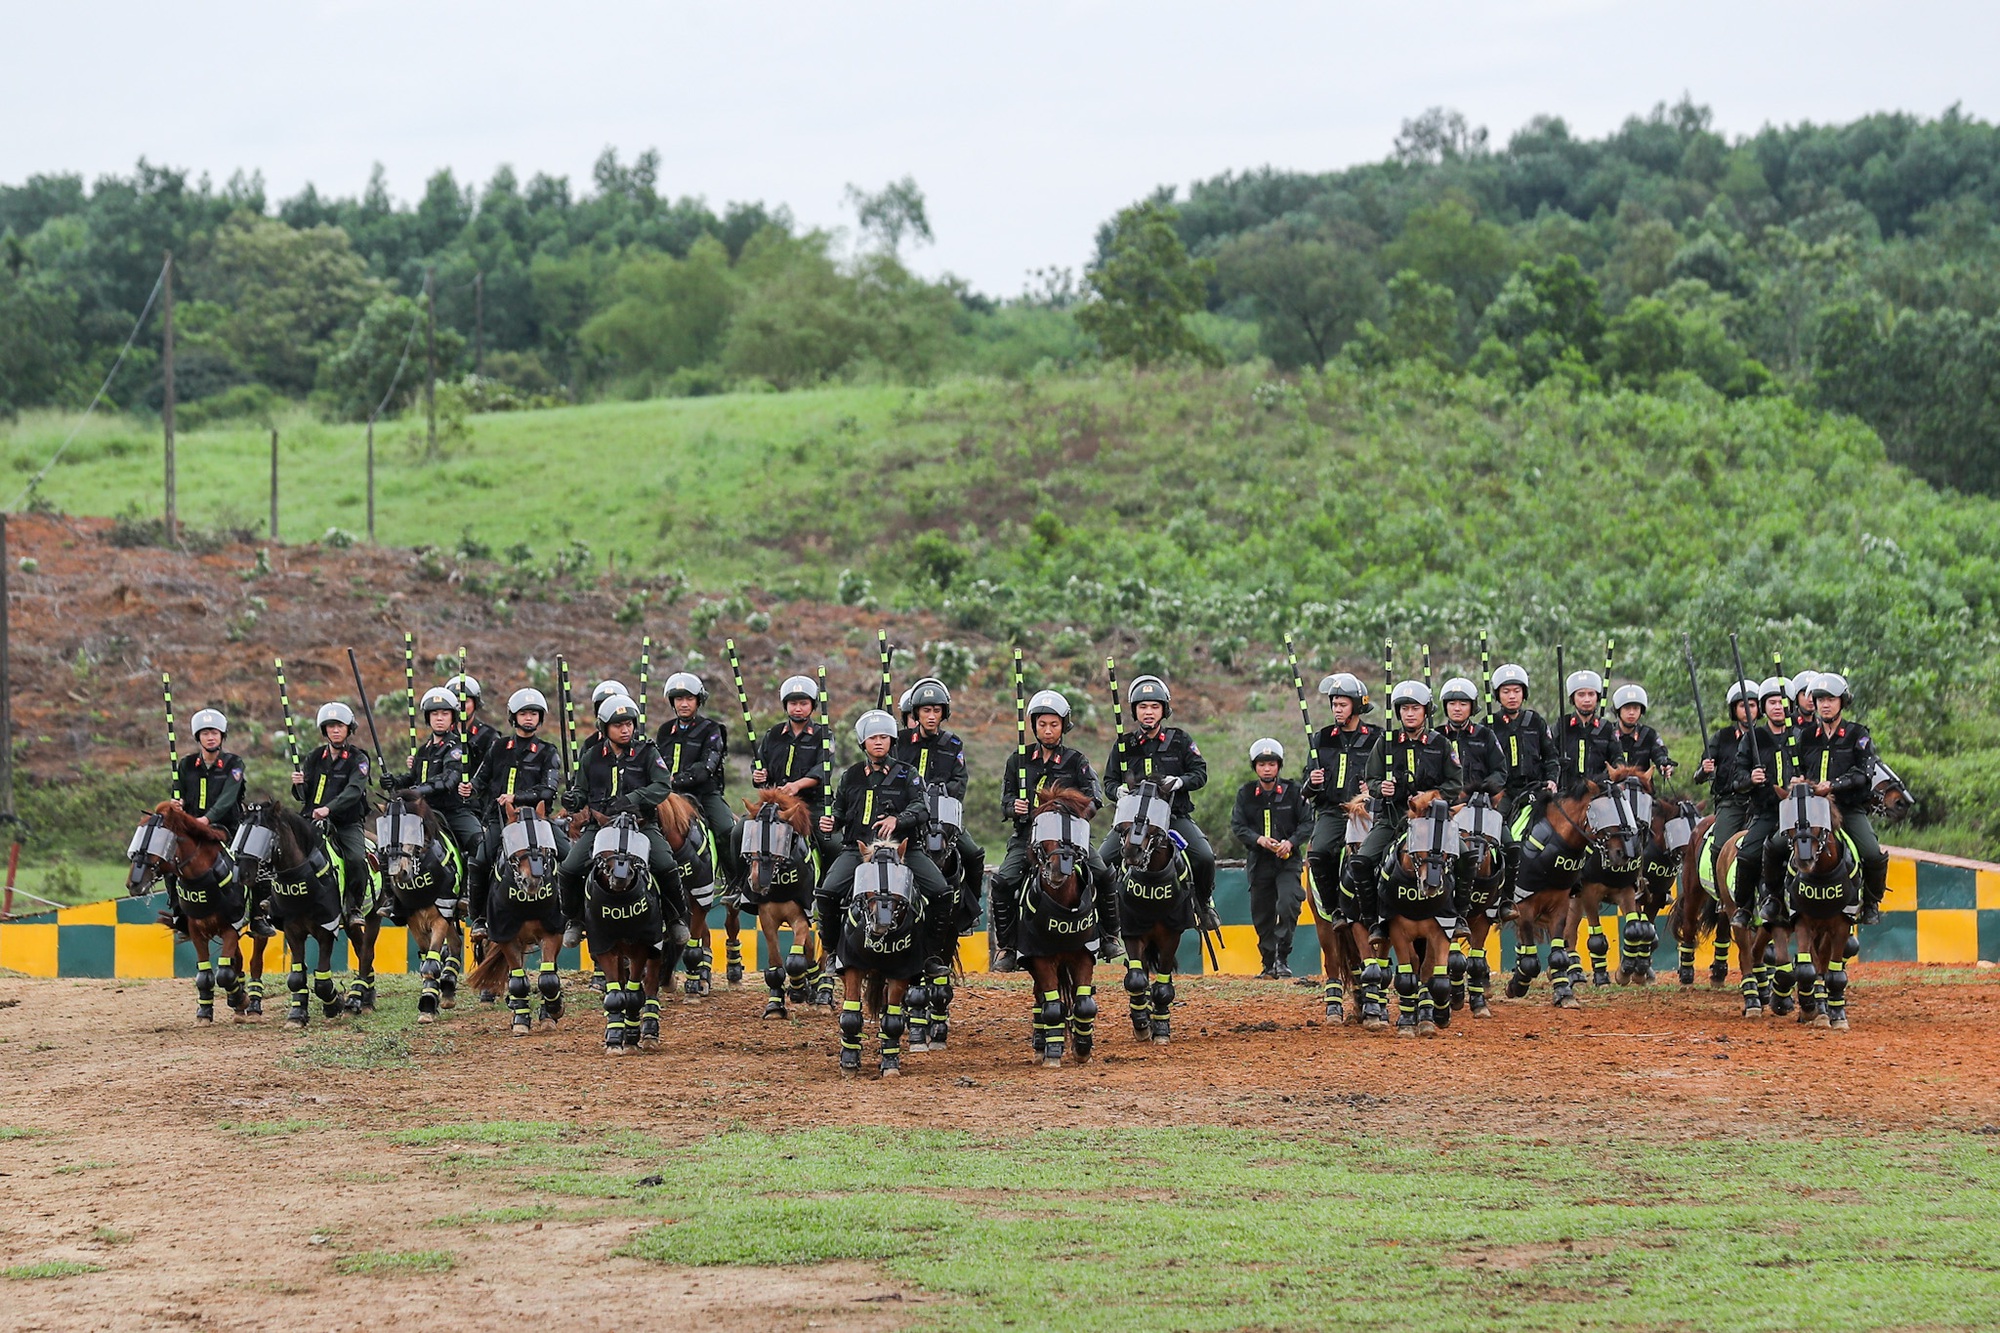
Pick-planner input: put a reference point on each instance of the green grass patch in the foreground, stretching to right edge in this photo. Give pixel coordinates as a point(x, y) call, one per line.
point(1245, 1230)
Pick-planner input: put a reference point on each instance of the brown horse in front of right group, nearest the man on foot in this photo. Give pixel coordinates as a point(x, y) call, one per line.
point(1419, 910)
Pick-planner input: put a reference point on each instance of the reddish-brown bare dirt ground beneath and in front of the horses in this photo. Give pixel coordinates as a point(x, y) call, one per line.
point(209, 1228)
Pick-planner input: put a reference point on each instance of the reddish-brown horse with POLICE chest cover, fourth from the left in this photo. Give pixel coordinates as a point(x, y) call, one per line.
point(523, 914)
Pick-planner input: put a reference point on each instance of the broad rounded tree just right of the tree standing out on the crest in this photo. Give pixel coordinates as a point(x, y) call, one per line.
point(1309, 291)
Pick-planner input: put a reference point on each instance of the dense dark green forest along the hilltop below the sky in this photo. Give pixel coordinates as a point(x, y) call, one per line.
point(1853, 267)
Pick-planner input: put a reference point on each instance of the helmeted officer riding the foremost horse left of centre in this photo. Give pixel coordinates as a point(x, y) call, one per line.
point(879, 798)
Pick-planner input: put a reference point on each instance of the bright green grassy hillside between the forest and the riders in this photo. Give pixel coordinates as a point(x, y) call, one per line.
point(1199, 517)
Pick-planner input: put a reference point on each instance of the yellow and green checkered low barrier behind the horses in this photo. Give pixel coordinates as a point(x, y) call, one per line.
point(1939, 910)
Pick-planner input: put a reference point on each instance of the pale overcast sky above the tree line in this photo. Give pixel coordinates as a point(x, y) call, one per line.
point(1025, 123)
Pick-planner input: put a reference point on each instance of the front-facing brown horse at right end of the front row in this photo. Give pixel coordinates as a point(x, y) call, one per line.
point(1823, 896)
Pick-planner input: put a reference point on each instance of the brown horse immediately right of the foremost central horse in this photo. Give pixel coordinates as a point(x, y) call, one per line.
point(1059, 926)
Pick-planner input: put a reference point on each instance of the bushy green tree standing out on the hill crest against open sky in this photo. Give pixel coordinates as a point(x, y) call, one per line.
point(1145, 289)
